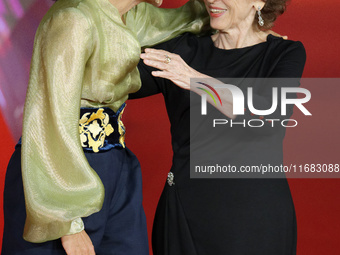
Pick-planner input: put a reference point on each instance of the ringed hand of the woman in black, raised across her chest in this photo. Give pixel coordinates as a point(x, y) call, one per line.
point(171, 67)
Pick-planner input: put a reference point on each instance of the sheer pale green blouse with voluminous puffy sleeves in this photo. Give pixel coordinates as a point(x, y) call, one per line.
point(84, 56)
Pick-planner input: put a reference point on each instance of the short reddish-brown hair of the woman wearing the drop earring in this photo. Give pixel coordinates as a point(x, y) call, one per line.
point(271, 10)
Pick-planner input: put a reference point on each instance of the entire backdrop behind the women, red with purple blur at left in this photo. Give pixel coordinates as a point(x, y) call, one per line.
point(315, 23)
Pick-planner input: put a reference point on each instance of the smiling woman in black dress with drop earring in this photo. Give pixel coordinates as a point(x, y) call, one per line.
point(224, 216)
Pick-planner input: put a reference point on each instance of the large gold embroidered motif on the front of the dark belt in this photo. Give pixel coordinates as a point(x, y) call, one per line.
point(93, 129)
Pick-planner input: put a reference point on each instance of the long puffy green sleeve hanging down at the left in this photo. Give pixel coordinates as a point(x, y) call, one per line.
point(60, 187)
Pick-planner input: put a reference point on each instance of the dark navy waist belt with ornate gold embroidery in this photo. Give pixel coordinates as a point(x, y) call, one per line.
point(101, 129)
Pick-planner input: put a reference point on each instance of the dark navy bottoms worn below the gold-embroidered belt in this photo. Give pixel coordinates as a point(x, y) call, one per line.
point(119, 228)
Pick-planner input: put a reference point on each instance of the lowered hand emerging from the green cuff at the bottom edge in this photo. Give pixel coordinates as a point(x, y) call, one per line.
point(78, 244)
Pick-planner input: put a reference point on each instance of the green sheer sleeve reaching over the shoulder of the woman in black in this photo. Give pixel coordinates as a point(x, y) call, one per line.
point(155, 25)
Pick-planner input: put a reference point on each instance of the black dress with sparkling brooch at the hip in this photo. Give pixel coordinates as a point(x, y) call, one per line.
point(225, 216)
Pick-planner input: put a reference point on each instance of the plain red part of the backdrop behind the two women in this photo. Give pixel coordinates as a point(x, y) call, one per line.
point(316, 24)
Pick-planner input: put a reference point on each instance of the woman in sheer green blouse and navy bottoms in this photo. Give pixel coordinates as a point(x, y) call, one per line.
point(85, 57)
